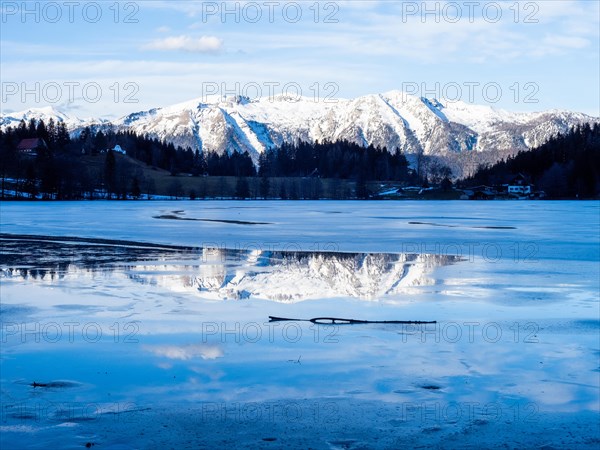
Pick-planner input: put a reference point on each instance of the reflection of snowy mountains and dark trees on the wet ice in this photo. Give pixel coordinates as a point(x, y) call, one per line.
point(224, 273)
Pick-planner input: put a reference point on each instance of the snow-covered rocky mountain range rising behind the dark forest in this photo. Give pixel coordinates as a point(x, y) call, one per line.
point(457, 133)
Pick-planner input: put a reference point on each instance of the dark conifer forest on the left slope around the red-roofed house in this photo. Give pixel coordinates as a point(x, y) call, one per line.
point(59, 168)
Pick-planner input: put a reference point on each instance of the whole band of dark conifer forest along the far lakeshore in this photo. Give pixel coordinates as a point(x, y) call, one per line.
point(83, 165)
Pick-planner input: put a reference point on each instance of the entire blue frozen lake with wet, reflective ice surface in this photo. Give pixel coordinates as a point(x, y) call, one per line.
point(145, 324)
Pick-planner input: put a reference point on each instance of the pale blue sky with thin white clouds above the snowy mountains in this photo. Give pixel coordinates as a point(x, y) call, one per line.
point(110, 58)
